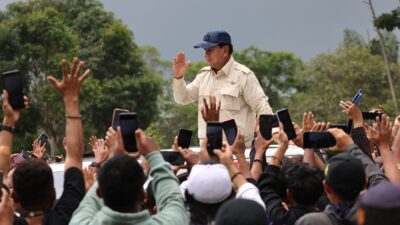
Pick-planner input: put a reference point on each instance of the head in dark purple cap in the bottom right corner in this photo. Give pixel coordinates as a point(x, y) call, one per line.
point(380, 205)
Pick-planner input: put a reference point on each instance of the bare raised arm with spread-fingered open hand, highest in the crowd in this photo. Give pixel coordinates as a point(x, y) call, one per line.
point(69, 87)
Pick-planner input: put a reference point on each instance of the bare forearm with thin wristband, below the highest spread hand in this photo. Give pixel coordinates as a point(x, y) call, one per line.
point(74, 134)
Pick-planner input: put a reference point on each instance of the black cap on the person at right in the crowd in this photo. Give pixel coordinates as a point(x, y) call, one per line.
point(344, 172)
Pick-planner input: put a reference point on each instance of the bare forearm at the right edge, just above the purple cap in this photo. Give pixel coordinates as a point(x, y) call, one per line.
point(389, 164)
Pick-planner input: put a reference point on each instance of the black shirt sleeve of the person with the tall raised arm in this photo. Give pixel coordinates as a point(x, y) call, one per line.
point(61, 213)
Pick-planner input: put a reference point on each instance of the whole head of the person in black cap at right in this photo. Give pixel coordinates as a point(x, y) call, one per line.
point(344, 178)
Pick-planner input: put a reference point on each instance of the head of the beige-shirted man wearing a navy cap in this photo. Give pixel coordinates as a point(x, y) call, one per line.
point(217, 48)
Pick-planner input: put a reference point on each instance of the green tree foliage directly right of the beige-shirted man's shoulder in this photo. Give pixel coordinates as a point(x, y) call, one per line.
point(276, 72)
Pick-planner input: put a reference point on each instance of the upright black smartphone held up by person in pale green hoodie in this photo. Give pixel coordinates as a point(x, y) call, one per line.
point(129, 124)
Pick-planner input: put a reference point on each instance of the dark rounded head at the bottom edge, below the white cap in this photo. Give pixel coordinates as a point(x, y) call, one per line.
point(241, 211)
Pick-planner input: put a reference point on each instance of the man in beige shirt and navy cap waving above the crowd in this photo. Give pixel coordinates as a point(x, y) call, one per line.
point(233, 84)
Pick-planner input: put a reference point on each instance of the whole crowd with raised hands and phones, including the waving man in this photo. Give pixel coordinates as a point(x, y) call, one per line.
point(357, 183)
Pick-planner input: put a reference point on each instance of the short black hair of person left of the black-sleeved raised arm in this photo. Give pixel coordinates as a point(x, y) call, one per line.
point(33, 184)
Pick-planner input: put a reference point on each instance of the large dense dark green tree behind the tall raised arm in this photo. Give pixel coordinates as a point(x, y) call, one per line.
point(34, 37)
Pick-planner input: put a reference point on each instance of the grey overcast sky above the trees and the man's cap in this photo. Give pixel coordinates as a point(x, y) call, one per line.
point(304, 27)
